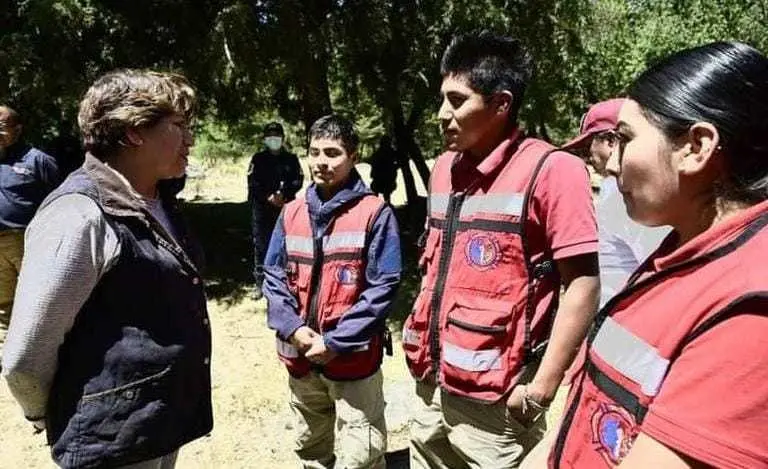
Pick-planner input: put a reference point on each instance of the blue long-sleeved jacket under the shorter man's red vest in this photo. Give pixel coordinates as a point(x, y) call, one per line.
point(382, 274)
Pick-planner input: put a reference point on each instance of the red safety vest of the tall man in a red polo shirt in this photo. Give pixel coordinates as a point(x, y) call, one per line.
point(471, 322)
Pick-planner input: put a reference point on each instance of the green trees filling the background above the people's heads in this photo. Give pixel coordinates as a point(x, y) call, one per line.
point(376, 60)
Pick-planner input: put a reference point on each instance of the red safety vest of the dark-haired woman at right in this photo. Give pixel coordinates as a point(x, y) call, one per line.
point(636, 338)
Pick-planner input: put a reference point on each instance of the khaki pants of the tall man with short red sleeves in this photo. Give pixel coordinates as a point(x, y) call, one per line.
point(451, 432)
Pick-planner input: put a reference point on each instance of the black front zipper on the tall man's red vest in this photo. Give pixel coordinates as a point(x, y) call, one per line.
point(449, 230)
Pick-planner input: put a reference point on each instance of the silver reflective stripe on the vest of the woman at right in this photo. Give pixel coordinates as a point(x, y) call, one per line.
point(630, 356)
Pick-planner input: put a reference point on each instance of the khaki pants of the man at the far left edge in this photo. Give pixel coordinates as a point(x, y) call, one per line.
point(11, 251)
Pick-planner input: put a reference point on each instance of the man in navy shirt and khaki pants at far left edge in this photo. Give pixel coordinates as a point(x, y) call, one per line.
point(27, 175)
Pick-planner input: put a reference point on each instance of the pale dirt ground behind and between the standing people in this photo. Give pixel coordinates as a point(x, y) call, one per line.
point(252, 426)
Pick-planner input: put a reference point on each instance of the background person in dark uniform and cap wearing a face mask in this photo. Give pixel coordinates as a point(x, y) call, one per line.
point(274, 178)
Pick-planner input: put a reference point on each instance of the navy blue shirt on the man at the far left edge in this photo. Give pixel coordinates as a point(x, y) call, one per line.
point(27, 176)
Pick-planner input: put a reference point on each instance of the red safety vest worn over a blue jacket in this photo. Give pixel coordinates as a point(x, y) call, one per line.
point(327, 276)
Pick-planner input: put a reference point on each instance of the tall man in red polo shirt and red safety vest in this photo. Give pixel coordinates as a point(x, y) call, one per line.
point(509, 220)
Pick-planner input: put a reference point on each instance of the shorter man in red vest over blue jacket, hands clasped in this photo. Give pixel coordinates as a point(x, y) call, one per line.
point(332, 271)
